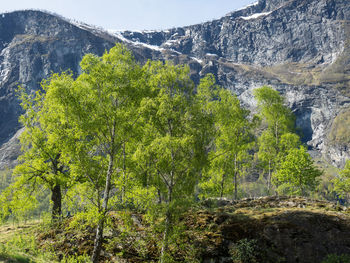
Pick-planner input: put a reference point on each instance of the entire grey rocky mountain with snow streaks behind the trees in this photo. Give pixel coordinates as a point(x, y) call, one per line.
point(299, 47)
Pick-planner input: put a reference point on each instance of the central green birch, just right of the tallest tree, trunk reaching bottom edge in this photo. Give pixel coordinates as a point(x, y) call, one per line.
point(171, 151)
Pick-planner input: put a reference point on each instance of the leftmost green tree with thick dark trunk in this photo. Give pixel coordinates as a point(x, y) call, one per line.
point(40, 165)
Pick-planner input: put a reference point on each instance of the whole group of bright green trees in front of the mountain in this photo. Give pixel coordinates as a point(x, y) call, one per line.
point(122, 135)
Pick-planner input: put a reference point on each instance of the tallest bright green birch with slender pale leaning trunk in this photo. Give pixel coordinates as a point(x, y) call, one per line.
point(96, 116)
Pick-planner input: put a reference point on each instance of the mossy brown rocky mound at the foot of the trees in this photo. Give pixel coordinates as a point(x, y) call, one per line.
point(269, 229)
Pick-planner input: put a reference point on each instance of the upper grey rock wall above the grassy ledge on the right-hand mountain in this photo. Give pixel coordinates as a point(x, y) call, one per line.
point(266, 33)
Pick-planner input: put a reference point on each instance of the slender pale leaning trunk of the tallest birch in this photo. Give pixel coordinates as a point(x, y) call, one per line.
point(100, 227)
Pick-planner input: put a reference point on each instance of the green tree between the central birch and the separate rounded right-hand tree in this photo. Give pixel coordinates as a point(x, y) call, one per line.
point(232, 141)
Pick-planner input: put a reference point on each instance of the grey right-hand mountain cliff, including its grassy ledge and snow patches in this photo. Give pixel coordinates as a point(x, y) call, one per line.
point(299, 47)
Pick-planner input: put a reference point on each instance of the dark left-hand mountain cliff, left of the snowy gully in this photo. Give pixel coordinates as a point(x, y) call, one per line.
point(32, 45)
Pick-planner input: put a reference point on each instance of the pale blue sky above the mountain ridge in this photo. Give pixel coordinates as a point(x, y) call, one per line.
point(132, 14)
